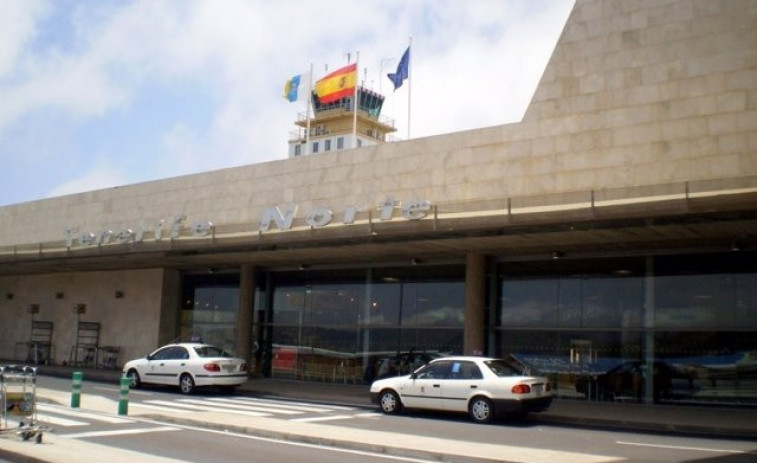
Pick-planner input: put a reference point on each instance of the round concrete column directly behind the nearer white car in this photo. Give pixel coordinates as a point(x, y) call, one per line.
point(474, 337)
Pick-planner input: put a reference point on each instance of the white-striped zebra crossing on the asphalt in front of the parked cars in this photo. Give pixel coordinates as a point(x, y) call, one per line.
point(62, 417)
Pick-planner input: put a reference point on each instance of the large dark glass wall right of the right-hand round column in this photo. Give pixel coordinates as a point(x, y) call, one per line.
point(665, 329)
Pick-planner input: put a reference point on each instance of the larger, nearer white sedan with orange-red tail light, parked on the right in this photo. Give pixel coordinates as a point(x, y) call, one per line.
point(482, 387)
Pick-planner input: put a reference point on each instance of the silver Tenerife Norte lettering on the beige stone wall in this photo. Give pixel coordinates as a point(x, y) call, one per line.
point(273, 216)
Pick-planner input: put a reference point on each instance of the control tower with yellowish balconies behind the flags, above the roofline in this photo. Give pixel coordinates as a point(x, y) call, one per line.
point(331, 126)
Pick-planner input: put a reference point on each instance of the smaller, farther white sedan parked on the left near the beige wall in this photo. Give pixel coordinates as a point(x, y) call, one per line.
point(187, 365)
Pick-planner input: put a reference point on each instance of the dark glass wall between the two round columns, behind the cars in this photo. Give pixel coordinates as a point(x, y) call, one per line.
point(343, 326)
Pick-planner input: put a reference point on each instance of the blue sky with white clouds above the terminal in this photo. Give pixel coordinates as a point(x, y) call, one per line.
point(102, 93)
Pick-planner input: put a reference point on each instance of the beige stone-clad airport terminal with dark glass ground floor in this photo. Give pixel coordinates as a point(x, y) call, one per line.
point(608, 240)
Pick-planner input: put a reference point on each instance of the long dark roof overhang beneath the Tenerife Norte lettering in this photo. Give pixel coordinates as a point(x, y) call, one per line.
point(709, 223)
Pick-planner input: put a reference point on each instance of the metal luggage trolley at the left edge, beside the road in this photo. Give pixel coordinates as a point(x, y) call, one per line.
point(18, 391)
